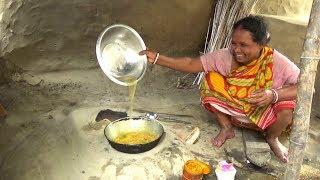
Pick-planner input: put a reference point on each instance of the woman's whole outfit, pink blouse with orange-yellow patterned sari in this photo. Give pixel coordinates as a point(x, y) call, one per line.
point(228, 91)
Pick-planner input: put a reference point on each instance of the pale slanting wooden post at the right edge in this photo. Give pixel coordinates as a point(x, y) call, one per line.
point(308, 65)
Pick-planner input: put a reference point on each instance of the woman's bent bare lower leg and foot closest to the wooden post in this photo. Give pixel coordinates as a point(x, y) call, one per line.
point(284, 118)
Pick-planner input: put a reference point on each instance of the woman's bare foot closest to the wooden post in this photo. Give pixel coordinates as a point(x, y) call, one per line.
point(278, 149)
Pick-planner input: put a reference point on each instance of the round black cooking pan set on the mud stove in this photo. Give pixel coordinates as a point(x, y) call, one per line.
point(127, 125)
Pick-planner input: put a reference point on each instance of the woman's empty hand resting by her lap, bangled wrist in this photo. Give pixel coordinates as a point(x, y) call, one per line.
point(261, 97)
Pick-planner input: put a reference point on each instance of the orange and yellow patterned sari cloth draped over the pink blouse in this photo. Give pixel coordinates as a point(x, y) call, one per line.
point(232, 92)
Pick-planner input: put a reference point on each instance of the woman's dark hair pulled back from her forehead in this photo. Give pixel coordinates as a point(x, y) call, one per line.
point(256, 26)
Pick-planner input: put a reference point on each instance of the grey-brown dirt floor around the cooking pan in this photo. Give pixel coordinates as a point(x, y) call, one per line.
point(51, 133)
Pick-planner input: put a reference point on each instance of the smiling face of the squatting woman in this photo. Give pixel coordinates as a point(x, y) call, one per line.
point(243, 48)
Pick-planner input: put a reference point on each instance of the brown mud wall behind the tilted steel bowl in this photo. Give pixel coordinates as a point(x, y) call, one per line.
point(30, 29)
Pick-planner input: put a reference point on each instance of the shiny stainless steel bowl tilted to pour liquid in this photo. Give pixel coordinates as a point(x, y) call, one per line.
point(117, 50)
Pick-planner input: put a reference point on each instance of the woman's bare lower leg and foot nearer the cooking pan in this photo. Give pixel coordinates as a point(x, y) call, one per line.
point(226, 129)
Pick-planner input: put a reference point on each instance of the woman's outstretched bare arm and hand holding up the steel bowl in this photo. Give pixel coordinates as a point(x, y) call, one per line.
point(185, 64)
